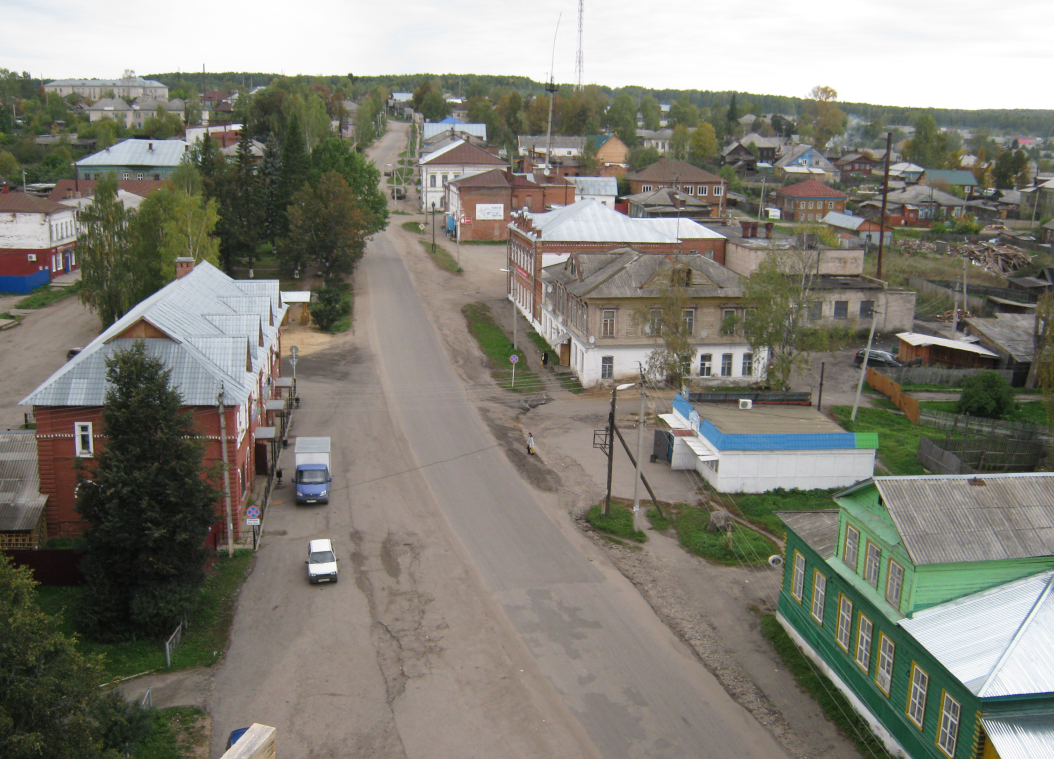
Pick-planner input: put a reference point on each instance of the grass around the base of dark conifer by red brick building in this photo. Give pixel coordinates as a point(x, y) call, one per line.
point(206, 637)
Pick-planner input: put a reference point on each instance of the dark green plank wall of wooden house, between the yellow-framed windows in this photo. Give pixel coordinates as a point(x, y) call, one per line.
point(891, 711)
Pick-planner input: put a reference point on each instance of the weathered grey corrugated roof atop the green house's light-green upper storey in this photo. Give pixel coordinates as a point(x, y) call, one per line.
point(950, 519)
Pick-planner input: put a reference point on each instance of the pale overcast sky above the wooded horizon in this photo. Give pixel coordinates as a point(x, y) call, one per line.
point(964, 54)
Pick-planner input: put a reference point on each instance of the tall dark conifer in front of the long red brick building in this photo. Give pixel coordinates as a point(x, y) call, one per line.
point(148, 508)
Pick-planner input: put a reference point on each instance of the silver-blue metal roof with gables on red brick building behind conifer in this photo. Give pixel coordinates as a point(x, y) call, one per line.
point(213, 325)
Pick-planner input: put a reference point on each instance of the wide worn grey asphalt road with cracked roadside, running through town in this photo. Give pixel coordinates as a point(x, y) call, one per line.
point(472, 619)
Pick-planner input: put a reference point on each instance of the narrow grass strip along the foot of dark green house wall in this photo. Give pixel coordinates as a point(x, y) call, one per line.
point(831, 700)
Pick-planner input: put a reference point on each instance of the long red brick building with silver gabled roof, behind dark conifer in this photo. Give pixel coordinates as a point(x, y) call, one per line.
point(219, 337)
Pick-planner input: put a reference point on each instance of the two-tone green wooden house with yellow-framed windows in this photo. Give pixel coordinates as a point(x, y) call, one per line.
point(930, 602)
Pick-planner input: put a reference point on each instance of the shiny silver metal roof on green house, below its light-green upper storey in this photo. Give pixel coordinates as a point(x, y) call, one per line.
point(999, 643)
